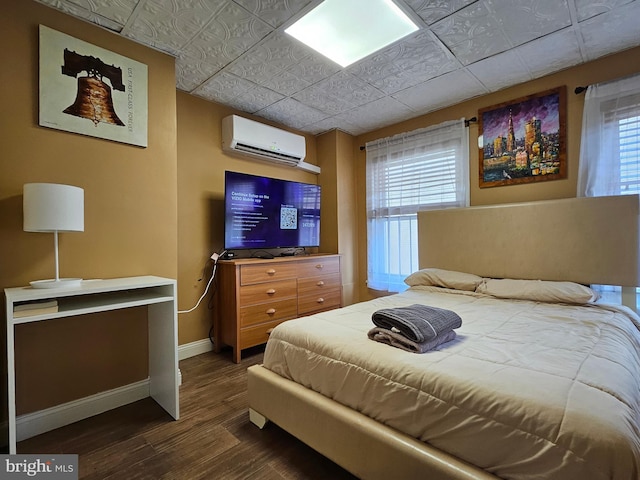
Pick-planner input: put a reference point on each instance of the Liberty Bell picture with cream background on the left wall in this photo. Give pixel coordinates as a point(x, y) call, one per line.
point(88, 90)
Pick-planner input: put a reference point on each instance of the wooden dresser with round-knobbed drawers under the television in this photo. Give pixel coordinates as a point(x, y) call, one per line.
point(254, 295)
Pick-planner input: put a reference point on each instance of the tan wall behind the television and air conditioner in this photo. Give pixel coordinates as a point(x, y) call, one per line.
point(201, 167)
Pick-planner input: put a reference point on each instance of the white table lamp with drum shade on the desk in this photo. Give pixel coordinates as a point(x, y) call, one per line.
point(51, 207)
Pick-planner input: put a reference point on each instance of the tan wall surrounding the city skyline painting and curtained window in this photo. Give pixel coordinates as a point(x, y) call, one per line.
point(601, 70)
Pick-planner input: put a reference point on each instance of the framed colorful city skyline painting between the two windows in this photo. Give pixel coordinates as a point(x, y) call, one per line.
point(523, 140)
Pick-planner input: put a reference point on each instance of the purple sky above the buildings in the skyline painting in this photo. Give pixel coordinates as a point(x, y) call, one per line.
point(495, 123)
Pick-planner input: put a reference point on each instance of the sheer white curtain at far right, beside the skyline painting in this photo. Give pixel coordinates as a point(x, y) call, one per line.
point(610, 147)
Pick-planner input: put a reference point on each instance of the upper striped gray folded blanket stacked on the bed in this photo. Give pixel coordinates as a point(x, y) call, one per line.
point(419, 323)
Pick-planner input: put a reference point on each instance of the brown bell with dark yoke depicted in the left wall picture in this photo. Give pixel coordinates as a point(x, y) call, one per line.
point(93, 98)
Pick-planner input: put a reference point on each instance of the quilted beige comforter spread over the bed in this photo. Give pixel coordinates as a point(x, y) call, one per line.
point(527, 389)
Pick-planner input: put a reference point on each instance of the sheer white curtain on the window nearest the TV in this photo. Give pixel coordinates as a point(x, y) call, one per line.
point(424, 169)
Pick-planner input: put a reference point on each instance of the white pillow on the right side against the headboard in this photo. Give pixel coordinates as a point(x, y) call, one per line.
point(538, 290)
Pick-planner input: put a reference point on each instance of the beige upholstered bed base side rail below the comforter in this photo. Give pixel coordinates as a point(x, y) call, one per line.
point(361, 445)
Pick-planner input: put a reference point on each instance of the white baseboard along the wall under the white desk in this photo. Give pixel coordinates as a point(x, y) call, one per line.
point(32, 424)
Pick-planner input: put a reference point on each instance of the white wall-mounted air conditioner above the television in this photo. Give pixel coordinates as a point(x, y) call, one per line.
point(247, 138)
